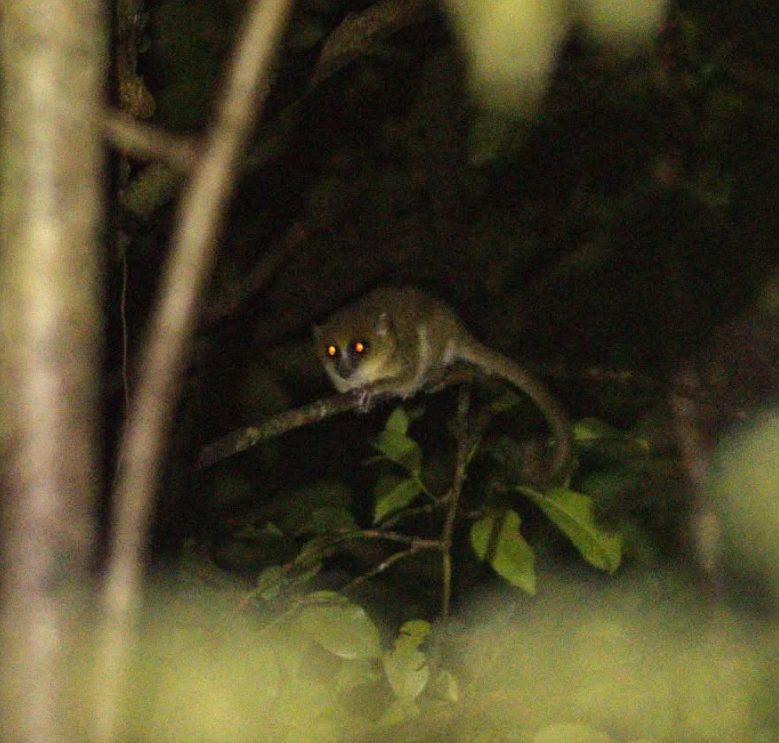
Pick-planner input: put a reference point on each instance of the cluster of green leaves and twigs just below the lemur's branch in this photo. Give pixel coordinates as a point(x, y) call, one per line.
point(423, 526)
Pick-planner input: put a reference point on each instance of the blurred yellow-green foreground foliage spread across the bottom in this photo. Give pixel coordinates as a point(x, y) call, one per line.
point(324, 669)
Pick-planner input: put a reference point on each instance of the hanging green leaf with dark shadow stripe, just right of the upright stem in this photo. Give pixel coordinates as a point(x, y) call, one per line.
point(496, 539)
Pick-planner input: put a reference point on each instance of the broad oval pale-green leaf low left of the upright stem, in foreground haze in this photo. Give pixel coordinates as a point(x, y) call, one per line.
point(344, 630)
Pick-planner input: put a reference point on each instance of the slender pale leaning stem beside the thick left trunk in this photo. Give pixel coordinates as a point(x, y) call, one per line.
point(200, 218)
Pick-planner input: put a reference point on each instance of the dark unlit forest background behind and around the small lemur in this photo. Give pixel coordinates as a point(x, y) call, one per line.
point(617, 229)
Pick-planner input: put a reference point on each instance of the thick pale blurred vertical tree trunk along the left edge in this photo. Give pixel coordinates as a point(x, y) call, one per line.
point(52, 59)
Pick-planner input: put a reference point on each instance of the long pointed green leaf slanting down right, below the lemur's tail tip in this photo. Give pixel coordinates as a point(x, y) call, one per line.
point(573, 514)
